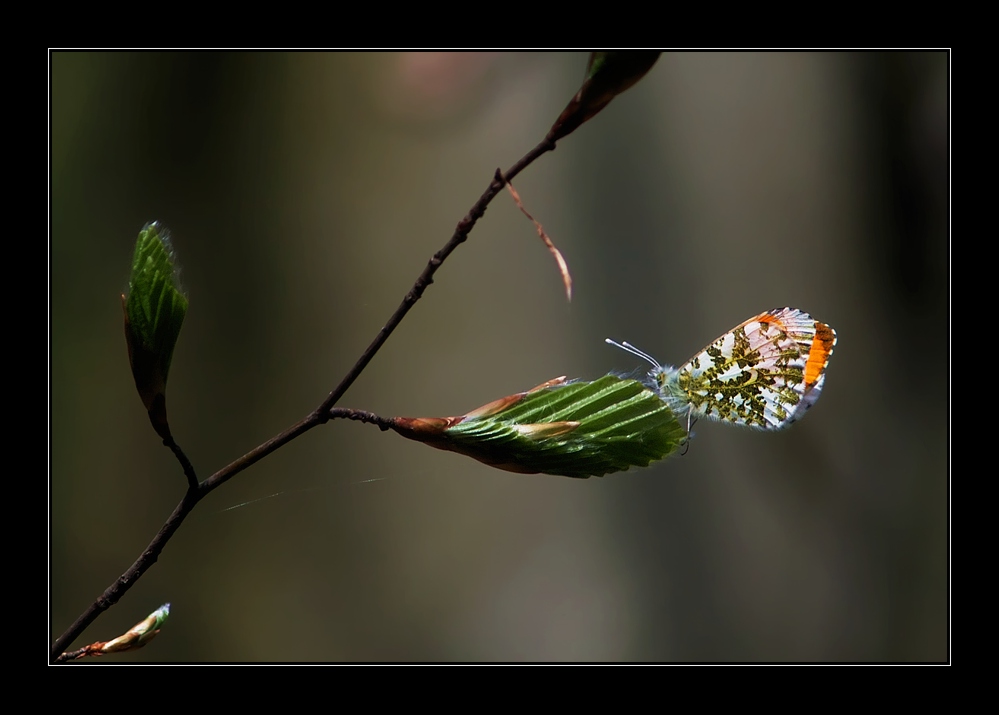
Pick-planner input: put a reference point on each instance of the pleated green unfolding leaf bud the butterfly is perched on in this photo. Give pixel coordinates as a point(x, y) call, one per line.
point(575, 429)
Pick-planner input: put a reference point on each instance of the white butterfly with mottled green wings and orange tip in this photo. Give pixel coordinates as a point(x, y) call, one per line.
point(764, 373)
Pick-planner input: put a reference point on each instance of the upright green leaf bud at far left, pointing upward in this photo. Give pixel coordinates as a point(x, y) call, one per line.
point(154, 312)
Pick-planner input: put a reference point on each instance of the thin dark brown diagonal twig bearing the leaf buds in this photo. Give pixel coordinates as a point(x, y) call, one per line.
point(320, 415)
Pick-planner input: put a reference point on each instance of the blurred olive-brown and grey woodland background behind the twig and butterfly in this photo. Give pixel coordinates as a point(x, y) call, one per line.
point(305, 192)
